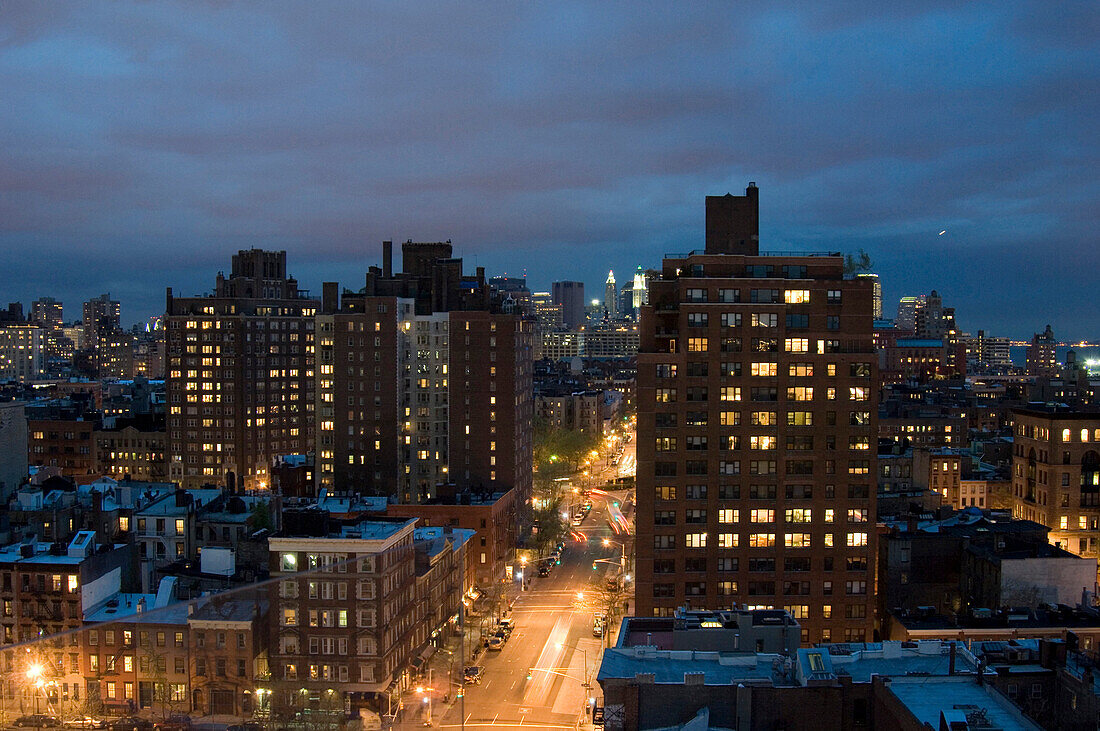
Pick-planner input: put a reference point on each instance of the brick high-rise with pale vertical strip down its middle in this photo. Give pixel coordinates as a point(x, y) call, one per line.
point(423, 382)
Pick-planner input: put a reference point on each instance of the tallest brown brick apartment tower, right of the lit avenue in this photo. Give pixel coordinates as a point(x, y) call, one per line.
point(757, 428)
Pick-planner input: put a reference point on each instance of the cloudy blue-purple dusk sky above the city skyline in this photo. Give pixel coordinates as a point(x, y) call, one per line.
point(145, 143)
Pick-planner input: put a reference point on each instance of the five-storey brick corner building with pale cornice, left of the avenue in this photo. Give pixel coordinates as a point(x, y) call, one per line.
point(343, 633)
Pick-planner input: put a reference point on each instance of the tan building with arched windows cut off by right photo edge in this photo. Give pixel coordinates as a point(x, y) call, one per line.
point(1057, 474)
